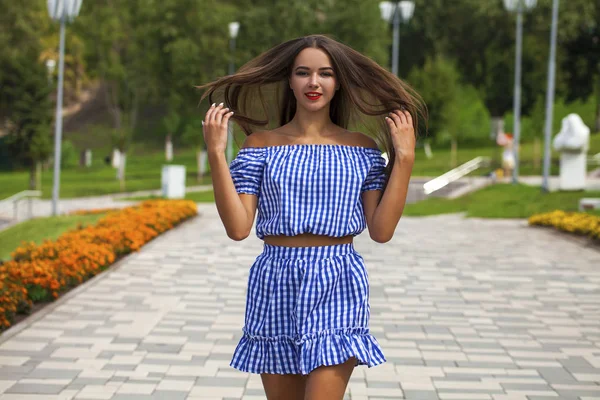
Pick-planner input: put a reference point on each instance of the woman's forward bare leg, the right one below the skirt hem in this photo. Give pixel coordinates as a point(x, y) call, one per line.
point(329, 383)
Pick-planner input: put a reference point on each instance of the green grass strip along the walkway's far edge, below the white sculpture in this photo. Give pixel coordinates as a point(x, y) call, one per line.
point(501, 201)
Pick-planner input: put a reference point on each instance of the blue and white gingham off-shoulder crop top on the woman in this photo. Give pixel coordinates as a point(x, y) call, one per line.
point(308, 188)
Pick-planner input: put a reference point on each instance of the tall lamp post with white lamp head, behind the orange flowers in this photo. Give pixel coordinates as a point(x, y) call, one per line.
point(62, 11)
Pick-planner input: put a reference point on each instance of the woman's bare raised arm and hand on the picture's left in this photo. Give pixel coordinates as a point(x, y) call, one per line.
point(236, 211)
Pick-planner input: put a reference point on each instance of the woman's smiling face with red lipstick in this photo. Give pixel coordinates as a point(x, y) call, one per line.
point(313, 79)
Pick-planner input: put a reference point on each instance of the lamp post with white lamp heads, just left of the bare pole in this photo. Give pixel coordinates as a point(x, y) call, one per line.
point(518, 6)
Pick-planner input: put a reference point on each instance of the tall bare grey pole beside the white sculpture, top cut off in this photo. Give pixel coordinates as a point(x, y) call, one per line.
point(550, 95)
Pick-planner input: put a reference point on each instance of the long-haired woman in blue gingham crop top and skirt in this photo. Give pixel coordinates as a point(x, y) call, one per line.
point(316, 185)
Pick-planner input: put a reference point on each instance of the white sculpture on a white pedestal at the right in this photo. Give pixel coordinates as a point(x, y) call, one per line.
point(573, 143)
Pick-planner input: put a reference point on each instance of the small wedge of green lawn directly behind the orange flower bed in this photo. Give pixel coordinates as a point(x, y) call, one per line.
point(38, 229)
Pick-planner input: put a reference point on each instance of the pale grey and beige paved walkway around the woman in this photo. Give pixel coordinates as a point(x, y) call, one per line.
point(463, 308)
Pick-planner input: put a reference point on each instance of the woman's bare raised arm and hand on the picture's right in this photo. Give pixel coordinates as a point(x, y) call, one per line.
point(383, 211)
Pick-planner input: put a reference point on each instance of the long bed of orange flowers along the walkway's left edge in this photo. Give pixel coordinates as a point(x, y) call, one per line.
point(39, 273)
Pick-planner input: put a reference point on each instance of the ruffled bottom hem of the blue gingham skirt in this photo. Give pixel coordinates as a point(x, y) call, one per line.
point(289, 355)
